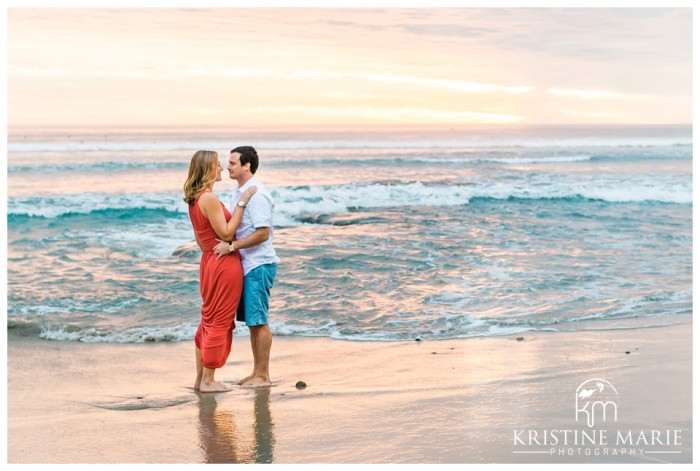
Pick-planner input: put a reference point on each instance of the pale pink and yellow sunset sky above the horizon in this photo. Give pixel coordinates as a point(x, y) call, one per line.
point(348, 66)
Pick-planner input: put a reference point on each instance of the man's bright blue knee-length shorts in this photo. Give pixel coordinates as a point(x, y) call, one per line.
point(255, 299)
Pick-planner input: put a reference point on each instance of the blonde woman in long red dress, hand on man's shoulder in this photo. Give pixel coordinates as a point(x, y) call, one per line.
point(220, 279)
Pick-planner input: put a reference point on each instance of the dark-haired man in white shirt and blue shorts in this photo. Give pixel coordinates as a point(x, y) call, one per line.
point(254, 241)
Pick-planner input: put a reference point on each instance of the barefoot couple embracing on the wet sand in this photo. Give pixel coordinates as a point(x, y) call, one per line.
point(238, 264)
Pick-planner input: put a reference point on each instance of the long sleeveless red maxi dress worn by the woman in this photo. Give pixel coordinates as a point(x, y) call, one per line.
point(221, 284)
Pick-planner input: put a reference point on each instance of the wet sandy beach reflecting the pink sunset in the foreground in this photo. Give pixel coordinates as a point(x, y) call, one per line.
point(453, 401)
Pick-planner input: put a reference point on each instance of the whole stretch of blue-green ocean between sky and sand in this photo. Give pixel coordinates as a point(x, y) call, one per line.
point(384, 233)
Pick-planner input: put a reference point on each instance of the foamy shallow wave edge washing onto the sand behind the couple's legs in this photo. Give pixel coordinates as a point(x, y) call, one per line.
point(635, 314)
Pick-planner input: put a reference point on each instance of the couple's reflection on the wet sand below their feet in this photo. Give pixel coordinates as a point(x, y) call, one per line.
point(223, 441)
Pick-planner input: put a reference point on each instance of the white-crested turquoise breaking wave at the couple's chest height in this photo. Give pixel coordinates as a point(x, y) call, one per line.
point(293, 204)
